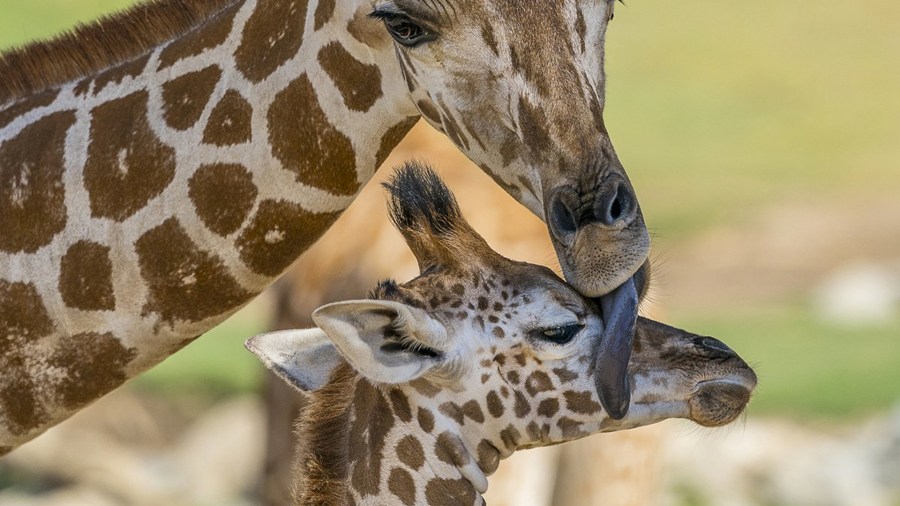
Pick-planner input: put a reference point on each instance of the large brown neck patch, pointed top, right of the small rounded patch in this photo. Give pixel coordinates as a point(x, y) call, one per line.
point(307, 144)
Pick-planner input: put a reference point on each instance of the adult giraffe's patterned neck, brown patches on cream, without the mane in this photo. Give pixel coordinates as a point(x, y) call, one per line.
point(143, 204)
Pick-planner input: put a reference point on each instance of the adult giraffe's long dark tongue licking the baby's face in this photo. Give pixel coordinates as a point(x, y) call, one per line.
point(611, 372)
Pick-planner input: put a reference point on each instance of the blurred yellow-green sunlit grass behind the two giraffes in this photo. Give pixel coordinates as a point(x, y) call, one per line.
point(717, 109)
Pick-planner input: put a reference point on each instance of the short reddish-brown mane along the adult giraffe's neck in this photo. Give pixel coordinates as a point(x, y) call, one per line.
point(101, 44)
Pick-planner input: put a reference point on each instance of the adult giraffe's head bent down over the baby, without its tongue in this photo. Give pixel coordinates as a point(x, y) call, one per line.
point(519, 86)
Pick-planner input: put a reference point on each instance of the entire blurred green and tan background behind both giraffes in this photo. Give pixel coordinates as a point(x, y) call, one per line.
point(763, 140)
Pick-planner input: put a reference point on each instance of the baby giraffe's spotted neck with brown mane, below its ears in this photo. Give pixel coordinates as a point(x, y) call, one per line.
point(364, 445)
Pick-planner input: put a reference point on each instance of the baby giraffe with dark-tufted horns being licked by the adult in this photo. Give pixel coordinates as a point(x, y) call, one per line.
point(418, 393)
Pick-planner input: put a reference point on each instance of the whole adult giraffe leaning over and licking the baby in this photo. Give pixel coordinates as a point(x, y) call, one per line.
point(160, 168)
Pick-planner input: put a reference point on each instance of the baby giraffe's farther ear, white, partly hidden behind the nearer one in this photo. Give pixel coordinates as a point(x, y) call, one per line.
point(303, 358)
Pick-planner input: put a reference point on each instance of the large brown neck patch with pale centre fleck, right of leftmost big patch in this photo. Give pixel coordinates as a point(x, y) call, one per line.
point(127, 164)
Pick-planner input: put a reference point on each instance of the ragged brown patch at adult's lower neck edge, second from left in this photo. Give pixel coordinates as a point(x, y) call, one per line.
point(94, 363)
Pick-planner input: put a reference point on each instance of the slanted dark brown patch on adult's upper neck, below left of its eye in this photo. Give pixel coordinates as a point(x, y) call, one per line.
point(359, 83)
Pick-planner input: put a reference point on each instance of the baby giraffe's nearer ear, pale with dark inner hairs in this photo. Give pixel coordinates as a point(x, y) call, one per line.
point(387, 342)
